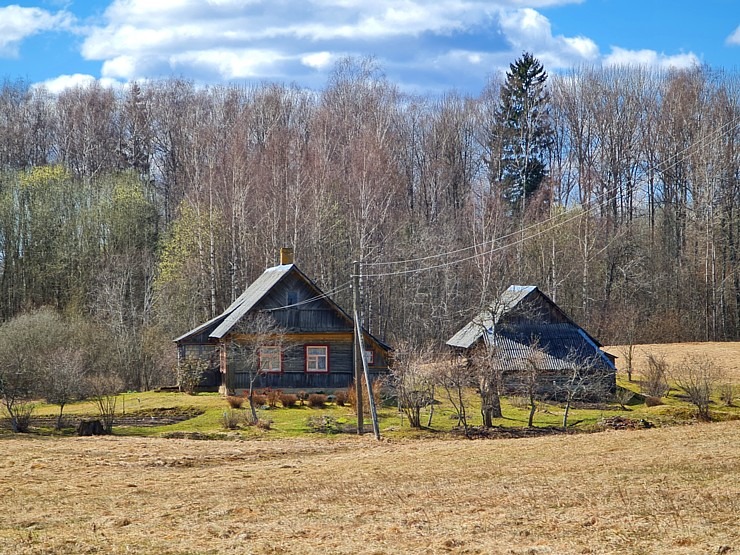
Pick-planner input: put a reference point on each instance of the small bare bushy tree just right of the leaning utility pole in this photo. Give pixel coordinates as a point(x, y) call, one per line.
point(412, 375)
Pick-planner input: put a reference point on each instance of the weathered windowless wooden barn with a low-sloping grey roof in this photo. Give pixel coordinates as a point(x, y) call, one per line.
point(525, 327)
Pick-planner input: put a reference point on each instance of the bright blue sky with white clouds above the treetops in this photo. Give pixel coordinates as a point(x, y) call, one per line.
point(423, 46)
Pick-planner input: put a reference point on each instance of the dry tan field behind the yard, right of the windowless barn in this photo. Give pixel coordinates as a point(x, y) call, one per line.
point(726, 355)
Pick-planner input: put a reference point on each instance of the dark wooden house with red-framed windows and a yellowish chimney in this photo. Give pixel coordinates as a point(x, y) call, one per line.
point(315, 350)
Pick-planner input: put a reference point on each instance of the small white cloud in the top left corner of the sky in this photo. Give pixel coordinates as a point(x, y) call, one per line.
point(18, 23)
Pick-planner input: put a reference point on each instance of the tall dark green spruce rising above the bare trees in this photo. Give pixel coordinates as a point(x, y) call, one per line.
point(522, 133)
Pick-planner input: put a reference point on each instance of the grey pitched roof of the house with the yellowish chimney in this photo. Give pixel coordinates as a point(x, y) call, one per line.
point(251, 297)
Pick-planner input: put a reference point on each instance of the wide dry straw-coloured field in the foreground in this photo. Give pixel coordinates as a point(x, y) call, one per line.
point(671, 490)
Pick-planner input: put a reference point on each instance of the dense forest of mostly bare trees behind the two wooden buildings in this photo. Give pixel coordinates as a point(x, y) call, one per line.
point(147, 210)
